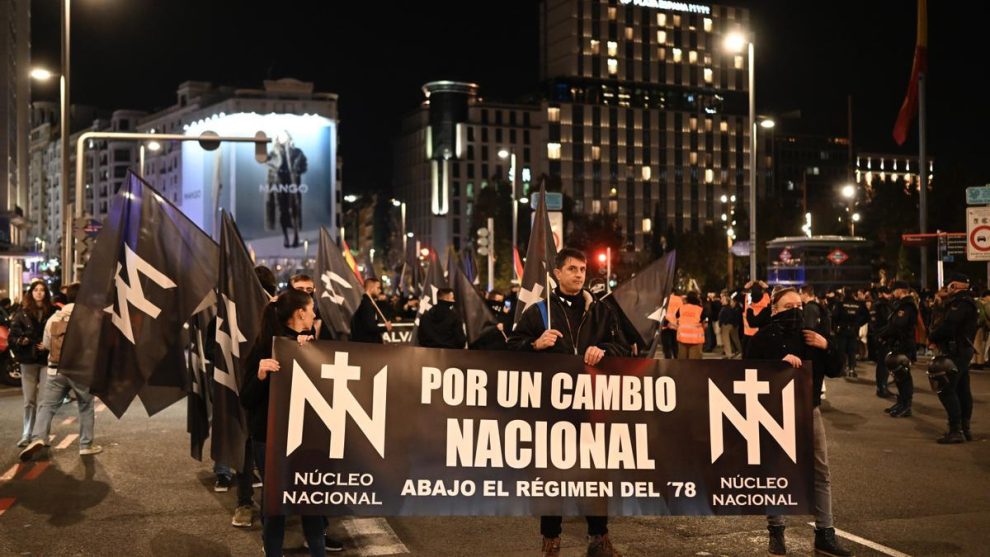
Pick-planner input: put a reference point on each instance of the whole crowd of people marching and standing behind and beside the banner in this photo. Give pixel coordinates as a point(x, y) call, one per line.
point(838, 331)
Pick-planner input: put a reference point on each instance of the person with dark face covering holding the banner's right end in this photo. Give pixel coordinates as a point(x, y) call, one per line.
point(785, 338)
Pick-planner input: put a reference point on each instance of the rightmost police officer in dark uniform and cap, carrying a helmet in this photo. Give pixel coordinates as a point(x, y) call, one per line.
point(954, 338)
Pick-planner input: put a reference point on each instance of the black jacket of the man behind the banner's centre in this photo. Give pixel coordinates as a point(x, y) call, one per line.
point(597, 327)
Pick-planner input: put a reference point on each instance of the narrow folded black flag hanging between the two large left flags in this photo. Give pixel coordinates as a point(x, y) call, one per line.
point(198, 398)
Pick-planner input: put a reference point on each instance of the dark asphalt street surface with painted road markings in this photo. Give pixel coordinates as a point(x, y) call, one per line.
point(896, 492)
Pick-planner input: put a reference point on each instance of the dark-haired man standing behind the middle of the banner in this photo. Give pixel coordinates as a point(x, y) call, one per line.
point(571, 321)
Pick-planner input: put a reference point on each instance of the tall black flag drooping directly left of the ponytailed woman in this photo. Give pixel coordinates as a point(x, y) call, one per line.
point(241, 303)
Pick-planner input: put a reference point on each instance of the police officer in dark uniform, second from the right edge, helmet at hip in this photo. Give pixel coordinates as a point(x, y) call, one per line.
point(896, 340)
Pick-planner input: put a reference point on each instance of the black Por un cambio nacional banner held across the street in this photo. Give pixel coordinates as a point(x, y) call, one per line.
point(401, 430)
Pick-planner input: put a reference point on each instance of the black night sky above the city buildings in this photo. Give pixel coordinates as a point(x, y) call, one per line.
point(376, 55)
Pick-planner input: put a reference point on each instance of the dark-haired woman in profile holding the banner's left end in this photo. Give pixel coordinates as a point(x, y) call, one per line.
point(294, 311)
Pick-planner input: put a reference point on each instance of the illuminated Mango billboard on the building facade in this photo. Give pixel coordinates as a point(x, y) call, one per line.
point(278, 204)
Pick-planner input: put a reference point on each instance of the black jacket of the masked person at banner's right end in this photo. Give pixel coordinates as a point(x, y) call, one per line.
point(773, 343)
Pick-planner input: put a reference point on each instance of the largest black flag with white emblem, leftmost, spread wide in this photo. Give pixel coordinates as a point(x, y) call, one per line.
point(151, 270)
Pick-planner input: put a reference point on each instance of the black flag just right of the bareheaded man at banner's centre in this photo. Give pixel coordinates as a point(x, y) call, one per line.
point(643, 298)
